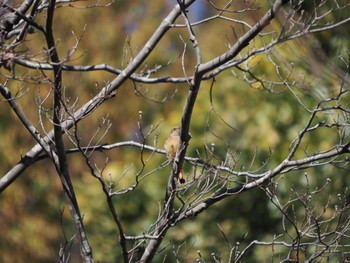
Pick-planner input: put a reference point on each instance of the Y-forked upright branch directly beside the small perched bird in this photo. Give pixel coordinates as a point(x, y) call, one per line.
point(201, 69)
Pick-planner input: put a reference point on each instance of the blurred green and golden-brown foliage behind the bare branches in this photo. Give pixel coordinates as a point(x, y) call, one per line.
point(244, 121)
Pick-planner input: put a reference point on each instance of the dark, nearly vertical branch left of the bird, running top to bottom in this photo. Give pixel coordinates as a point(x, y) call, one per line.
point(62, 165)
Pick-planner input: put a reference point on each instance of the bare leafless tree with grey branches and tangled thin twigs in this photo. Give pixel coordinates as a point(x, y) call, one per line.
point(304, 238)
